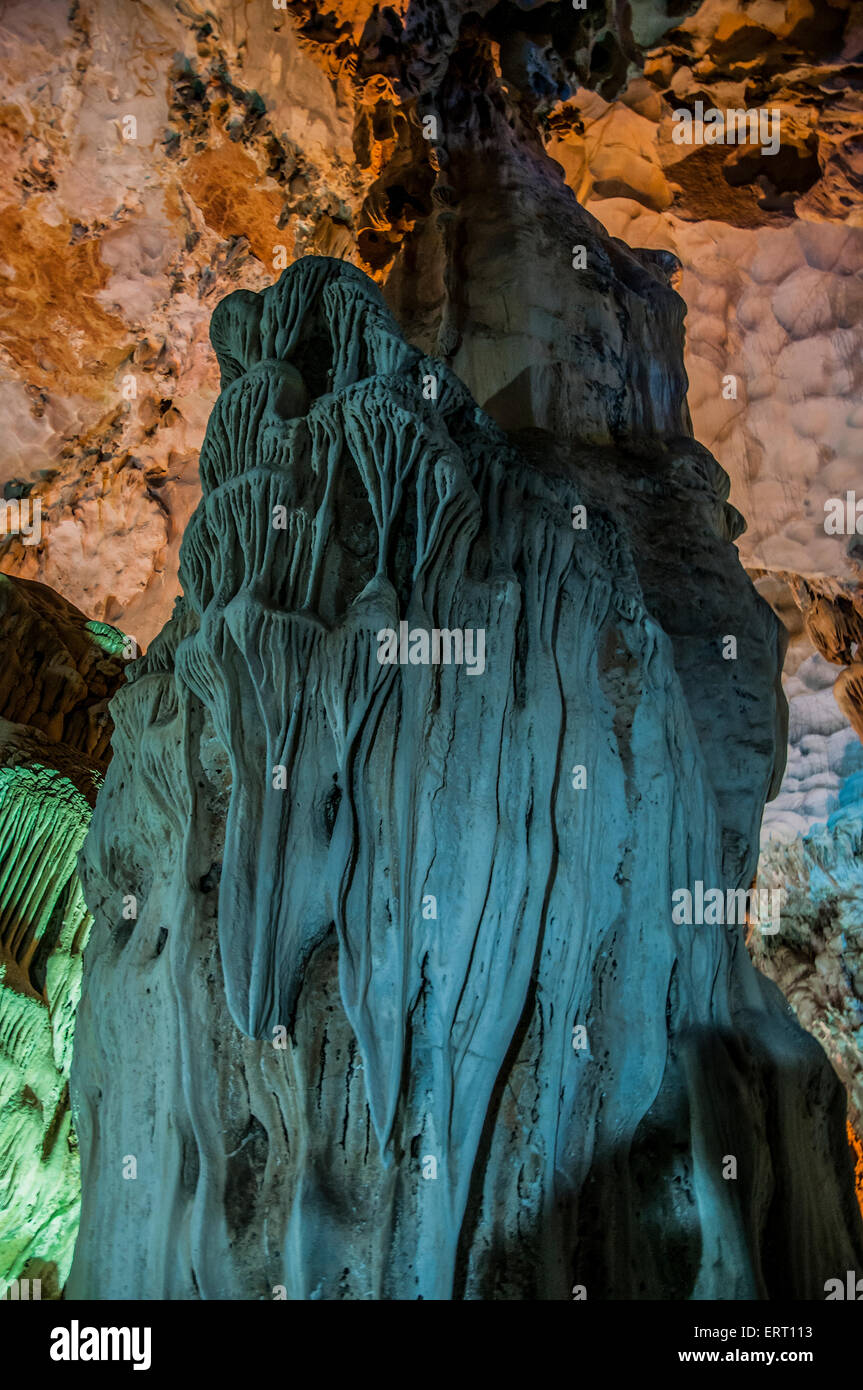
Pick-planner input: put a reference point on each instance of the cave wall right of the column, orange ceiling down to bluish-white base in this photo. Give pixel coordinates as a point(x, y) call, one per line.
point(772, 255)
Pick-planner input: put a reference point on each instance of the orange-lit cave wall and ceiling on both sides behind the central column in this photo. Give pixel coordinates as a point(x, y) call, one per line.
point(304, 130)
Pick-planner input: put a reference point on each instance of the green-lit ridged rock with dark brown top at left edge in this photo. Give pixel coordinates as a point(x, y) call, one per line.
point(58, 675)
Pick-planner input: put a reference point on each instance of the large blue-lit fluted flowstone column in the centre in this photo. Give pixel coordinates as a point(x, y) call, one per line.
point(384, 997)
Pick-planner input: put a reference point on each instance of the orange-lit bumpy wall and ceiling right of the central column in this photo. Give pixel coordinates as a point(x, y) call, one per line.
point(772, 250)
